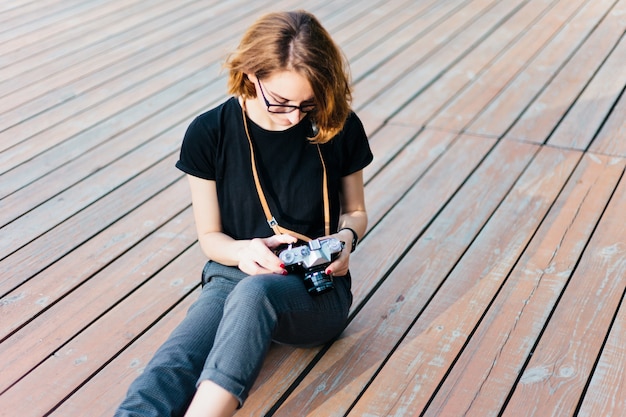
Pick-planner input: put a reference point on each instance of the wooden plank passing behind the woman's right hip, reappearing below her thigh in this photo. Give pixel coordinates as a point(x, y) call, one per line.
point(383, 246)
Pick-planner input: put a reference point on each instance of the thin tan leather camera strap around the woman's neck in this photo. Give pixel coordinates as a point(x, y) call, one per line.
point(271, 220)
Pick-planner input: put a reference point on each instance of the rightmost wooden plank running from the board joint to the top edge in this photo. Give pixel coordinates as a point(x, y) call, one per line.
point(505, 108)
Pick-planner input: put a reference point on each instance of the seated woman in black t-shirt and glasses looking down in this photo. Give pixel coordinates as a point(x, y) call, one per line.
point(277, 163)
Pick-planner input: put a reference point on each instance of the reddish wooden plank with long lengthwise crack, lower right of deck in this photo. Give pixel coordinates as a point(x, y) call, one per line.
point(486, 371)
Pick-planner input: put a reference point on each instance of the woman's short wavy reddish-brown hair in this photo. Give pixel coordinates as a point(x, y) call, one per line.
point(295, 41)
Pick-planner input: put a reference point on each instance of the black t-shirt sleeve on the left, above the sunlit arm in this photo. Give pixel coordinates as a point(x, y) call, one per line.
point(198, 150)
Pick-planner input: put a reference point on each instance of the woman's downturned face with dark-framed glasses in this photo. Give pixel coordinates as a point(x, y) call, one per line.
point(282, 88)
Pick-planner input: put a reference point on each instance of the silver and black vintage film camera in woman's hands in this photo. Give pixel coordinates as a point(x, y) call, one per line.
point(312, 259)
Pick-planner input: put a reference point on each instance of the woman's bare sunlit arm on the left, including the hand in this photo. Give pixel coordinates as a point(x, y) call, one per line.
point(251, 256)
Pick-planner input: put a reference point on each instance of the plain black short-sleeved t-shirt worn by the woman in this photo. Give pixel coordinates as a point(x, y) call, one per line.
point(215, 147)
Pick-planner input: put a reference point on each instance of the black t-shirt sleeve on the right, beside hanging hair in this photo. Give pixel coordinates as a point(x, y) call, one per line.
point(356, 152)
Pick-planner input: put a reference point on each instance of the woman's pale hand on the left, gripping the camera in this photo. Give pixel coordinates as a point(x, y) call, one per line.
point(257, 256)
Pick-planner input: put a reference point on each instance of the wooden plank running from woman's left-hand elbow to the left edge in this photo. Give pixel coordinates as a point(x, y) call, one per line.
point(86, 301)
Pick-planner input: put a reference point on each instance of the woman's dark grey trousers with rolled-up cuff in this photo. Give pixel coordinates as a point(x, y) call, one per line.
point(227, 332)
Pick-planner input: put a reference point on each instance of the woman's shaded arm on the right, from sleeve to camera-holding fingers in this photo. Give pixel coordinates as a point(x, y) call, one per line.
point(353, 215)
